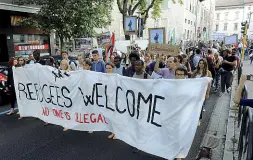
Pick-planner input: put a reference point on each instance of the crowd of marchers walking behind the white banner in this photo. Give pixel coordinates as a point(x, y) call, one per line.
point(195, 63)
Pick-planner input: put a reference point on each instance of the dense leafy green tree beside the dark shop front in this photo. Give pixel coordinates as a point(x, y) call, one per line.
point(70, 18)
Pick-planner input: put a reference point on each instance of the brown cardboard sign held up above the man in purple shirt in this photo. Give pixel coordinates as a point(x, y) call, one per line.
point(165, 49)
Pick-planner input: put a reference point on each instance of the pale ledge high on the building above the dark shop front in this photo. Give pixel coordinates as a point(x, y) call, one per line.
point(18, 8)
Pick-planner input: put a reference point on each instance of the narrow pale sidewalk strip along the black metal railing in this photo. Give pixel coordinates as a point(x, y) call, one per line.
point(232, 134)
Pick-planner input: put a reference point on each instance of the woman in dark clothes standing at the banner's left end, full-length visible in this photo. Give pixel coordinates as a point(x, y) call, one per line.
point(10, 84)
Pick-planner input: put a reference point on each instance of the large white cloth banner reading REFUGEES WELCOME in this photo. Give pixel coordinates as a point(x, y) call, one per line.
point(158, 116)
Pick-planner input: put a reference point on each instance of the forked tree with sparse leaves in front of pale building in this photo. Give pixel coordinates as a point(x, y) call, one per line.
point(129, 8)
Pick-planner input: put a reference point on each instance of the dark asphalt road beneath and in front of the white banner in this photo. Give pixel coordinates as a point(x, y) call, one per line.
point(29, 139)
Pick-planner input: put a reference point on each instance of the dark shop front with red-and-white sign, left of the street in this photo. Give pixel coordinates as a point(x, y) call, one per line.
point(18, 41)
